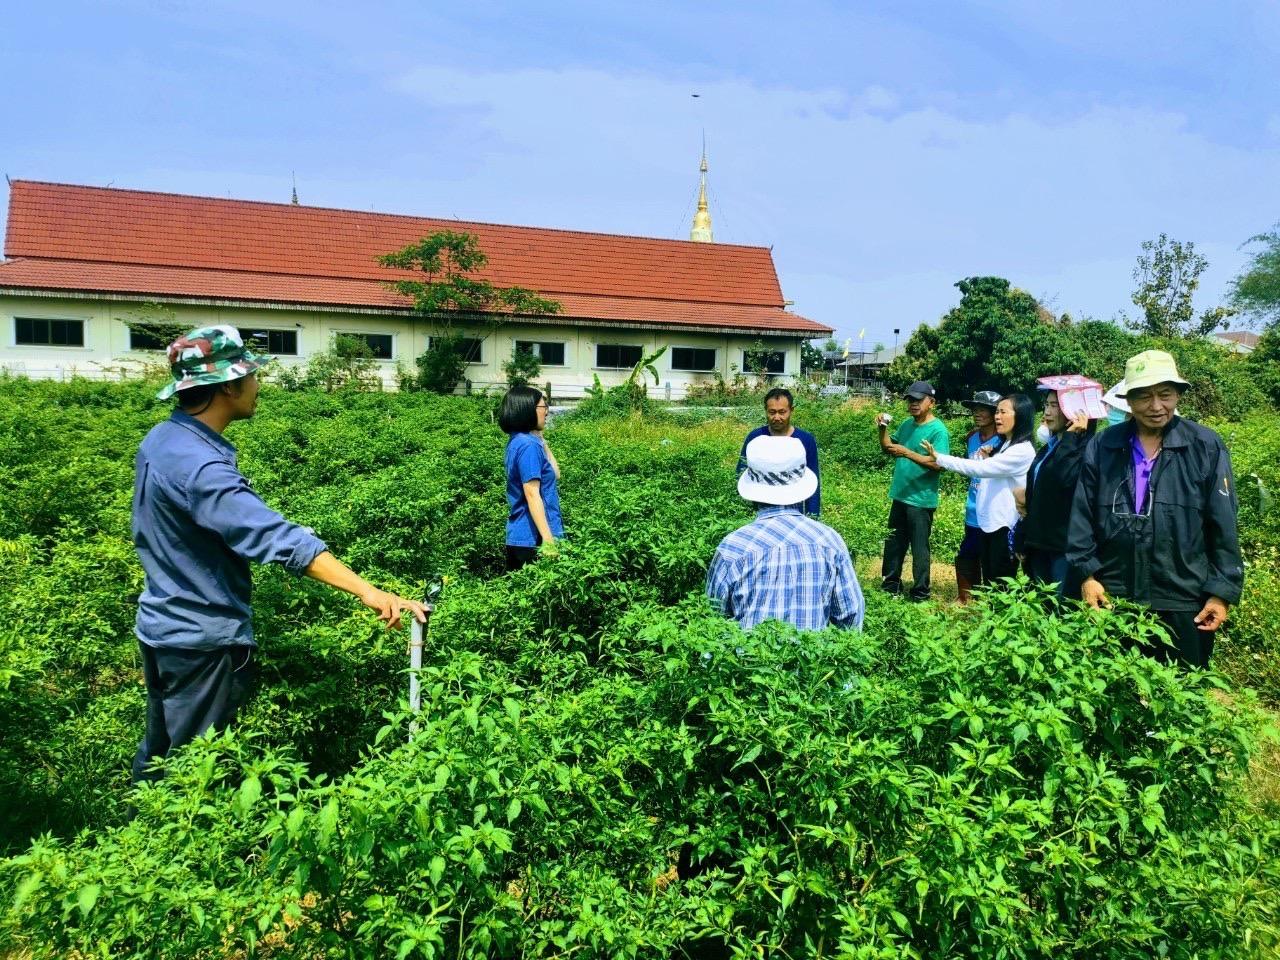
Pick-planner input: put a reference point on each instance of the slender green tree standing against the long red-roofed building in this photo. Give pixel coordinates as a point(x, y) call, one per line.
point(451, 294)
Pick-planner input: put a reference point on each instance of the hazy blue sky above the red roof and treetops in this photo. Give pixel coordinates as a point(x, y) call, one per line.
point(885, 150)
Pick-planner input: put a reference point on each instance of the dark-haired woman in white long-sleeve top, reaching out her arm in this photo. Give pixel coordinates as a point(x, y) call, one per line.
point(999, 476)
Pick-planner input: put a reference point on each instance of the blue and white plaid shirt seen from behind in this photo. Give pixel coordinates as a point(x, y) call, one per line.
point(787, 566)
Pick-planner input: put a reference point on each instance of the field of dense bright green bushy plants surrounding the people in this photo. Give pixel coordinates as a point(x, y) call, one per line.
point(602, 765)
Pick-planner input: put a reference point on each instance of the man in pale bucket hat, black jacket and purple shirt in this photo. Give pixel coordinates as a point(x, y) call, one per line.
point(1154, 515)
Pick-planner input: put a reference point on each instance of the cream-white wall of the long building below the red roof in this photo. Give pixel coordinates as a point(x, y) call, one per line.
point(107, 354)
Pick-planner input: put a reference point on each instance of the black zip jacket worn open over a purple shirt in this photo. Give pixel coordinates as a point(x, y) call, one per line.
point(1182, 545)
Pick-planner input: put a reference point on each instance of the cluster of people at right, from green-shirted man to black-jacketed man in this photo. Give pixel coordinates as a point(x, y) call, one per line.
point(1144, 510)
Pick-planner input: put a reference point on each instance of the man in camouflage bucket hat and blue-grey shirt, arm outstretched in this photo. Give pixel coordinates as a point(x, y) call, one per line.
point(196, 527)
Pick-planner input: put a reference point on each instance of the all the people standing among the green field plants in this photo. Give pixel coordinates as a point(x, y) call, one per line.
point(1144, 510)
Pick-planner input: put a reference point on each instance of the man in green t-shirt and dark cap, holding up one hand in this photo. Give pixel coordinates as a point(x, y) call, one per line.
point(913, 492)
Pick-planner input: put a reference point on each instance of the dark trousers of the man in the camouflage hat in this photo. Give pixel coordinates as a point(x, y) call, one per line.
point(190, 692)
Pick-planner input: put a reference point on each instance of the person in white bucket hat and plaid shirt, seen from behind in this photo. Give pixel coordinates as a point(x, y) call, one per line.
point(784, 565)
